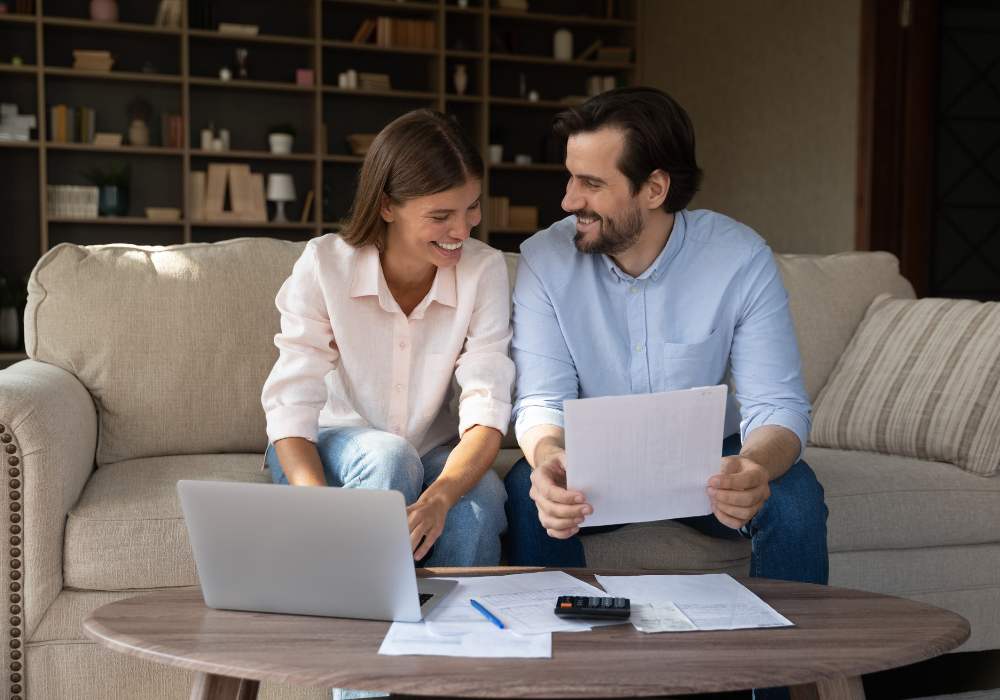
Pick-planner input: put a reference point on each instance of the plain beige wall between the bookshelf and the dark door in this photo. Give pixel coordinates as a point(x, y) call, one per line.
point(772, 89)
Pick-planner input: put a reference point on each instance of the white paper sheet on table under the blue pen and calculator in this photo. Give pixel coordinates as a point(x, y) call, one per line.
point(523, 602)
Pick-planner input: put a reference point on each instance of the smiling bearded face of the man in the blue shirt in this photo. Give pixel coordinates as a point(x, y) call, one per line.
point(609, 219)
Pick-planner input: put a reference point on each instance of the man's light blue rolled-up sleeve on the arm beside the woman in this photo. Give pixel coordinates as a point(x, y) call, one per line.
point(546, 373)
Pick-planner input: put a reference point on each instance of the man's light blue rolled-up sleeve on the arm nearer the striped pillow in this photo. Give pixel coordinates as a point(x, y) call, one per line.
point(765, 361)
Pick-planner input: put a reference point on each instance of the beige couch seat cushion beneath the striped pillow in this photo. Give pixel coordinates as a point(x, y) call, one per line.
point(882, 502)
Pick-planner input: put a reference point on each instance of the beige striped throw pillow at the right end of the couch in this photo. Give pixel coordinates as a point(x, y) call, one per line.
point(920, 378)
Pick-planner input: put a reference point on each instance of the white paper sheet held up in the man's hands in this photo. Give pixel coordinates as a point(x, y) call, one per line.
point(645, 457)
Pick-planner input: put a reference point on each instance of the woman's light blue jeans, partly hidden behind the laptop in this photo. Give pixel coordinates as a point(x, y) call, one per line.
point(372, 459)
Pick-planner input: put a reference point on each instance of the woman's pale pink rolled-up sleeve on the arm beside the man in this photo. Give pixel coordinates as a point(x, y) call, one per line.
point(484, 370)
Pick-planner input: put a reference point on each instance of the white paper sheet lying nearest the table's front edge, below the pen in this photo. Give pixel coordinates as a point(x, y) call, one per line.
point(416, 638)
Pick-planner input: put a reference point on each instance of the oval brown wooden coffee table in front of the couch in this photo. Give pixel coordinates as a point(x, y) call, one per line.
point(840, 634)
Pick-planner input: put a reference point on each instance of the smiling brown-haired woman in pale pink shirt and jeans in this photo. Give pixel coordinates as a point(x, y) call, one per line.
point(374, 324)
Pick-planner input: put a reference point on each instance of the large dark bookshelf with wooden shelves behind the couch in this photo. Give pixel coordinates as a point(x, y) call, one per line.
point(507, 54)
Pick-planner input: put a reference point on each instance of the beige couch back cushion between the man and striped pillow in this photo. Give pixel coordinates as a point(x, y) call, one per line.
point(828, 296)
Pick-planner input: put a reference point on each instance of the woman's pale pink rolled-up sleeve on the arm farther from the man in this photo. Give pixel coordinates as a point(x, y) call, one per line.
point(295, 392)
